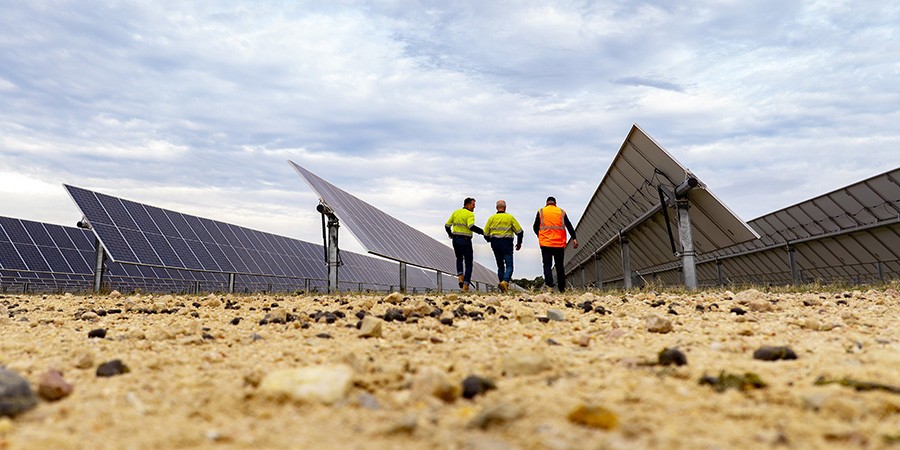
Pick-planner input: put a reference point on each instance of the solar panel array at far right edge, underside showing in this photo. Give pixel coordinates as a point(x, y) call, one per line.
point(851, 234)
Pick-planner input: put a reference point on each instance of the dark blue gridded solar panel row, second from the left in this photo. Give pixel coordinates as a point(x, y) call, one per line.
point(180, 246)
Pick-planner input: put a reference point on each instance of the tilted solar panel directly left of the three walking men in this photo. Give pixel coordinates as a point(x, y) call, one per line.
point(386, 236)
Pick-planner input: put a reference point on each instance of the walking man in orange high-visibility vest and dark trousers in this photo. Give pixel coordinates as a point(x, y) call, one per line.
point(550, 225)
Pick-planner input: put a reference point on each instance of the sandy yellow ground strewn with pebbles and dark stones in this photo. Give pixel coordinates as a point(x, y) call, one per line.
point(198, 378)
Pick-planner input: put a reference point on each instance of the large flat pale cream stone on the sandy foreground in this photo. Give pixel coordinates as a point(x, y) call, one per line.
point(322, 384)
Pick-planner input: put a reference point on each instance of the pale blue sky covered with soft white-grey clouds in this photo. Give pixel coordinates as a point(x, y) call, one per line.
point(412, 106)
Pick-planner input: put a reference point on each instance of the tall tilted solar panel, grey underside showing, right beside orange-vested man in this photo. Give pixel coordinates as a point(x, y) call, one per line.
point(627, 202)
